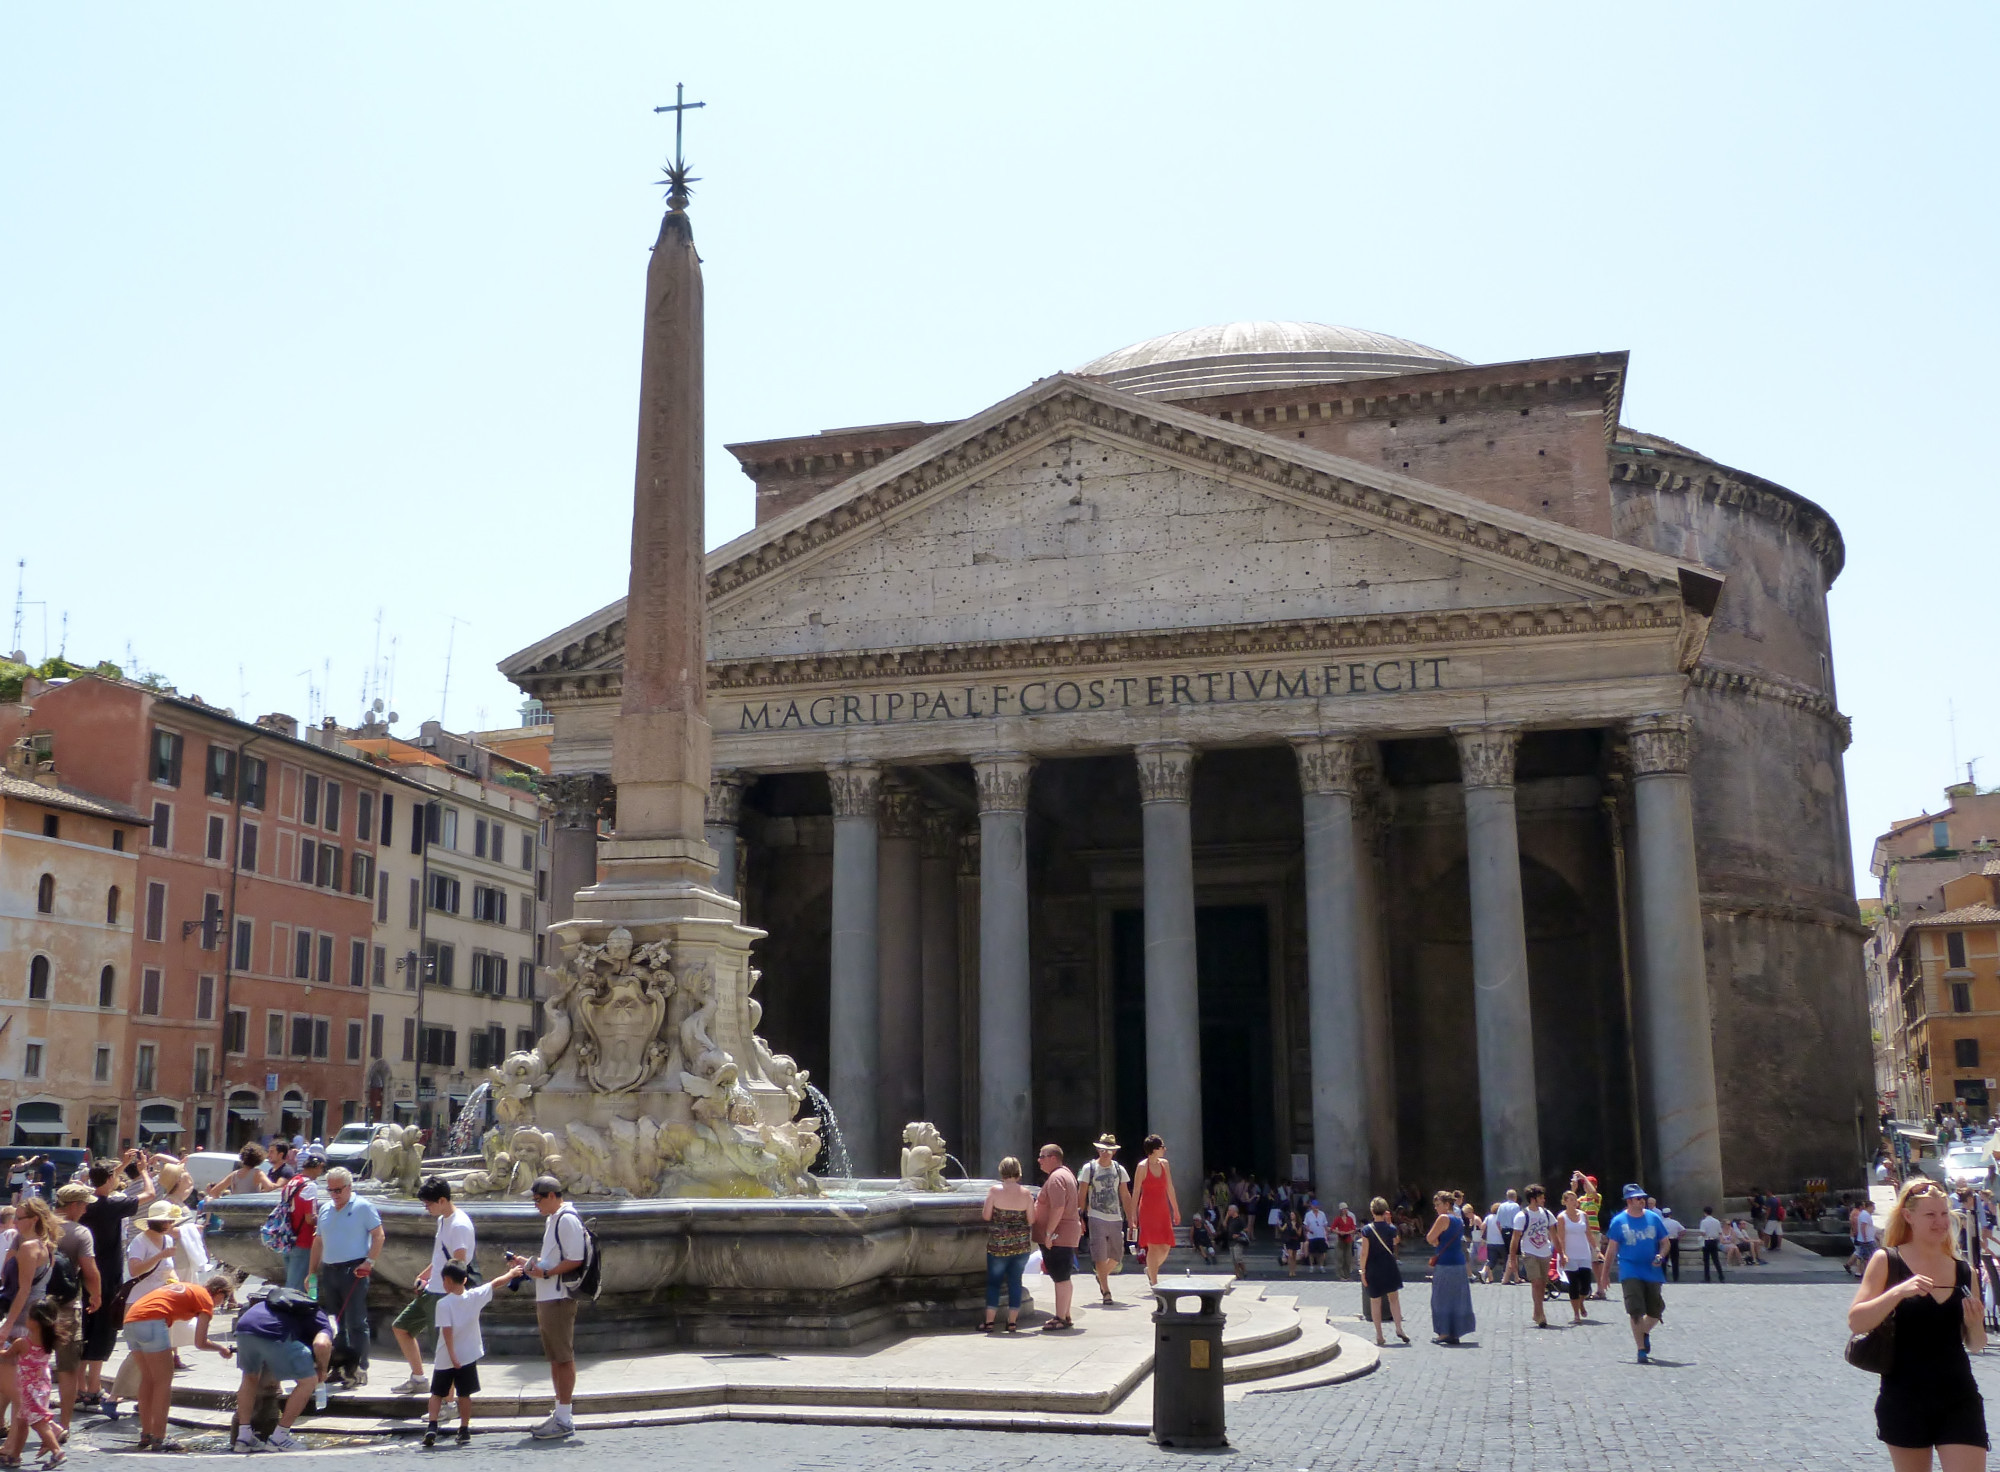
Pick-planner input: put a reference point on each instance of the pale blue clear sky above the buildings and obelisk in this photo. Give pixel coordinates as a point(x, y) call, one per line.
point(321, 325)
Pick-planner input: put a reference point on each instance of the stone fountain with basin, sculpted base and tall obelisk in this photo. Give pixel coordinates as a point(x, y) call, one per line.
point(651, 1095)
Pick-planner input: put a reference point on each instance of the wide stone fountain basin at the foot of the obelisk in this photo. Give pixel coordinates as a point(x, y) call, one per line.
point(801, 1271)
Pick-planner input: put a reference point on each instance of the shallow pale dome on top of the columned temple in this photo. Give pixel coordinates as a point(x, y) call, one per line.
point(1241, 357)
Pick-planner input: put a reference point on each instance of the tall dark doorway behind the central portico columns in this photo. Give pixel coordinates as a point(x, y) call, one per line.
point(1233, 963)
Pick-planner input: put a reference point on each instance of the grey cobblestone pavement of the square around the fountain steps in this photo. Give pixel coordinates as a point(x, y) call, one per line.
point(1745, 1375)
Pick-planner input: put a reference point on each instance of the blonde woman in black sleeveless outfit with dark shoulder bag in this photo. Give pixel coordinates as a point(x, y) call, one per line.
point(1929, 1399)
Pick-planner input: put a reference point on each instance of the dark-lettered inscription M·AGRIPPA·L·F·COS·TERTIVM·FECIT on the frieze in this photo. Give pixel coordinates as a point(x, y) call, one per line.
point(1113, 693)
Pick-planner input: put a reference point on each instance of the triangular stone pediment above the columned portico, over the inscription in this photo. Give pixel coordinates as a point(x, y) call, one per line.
point(1079, 511)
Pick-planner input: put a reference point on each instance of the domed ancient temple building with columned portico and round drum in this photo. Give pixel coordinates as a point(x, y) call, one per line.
point(1343, 759)
